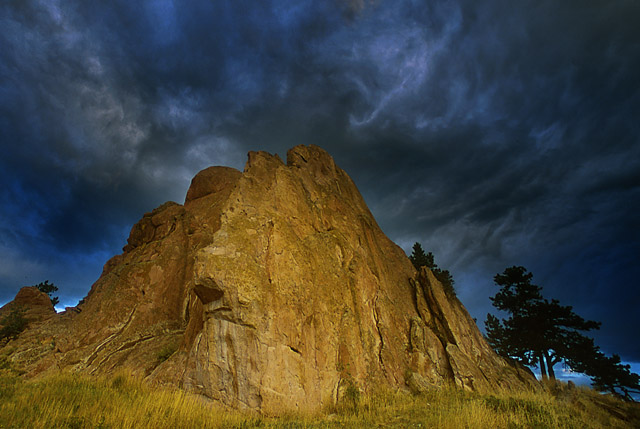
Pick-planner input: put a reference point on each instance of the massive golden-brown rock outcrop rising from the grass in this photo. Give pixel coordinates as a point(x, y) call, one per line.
point(277, 289)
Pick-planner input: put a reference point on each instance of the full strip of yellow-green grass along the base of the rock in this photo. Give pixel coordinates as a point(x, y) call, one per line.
point(120, 401)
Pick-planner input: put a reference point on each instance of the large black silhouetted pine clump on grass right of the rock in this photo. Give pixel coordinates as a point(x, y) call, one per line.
point(544, 332)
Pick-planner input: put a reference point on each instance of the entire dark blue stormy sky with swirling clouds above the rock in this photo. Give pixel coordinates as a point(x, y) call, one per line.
point(494, 133)
